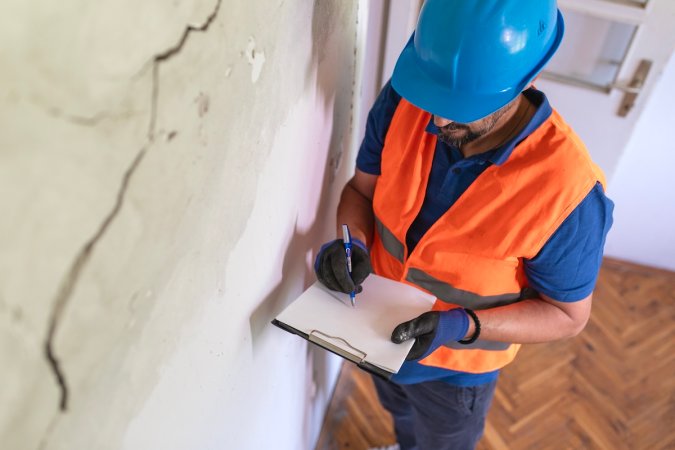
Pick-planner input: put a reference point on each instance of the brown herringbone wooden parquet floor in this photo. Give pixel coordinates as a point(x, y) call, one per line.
point(610, 388)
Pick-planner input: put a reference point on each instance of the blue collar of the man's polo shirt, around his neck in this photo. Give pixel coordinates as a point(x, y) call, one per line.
point(499, 155)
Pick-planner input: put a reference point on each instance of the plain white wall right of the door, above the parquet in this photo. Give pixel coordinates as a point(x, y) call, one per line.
point(643, 186)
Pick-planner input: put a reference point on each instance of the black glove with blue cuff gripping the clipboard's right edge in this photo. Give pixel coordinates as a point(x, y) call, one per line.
point(431, 330)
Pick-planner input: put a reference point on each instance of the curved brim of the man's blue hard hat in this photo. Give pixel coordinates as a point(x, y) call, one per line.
point(416, 86)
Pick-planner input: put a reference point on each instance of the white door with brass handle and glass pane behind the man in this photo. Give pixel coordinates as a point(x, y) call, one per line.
point(611, 56)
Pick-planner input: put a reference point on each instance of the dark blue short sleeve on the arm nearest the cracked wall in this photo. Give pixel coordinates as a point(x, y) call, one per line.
point(377, 125)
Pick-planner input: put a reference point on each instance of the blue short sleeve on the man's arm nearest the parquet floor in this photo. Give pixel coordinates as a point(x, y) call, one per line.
point(566, 268)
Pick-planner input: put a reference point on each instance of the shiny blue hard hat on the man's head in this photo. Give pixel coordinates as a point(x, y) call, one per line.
point(466, 59)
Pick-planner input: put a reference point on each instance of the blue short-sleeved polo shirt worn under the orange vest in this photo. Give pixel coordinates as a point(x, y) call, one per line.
point(565, 269)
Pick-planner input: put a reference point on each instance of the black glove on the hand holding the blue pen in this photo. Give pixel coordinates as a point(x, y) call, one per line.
point(331, 266)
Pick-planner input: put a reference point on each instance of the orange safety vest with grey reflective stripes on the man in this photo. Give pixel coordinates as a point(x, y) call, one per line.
point(472, 256)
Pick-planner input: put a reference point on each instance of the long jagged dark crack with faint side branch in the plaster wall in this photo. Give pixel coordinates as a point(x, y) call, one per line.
point(69, 283)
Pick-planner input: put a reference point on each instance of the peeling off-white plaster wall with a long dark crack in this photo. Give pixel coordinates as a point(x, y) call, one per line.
point(165, 172)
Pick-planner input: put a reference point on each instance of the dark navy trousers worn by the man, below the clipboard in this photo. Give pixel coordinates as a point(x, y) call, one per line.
point(436, 415)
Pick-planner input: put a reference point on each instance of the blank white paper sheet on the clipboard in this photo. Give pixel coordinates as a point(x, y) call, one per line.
point(381, 306)
